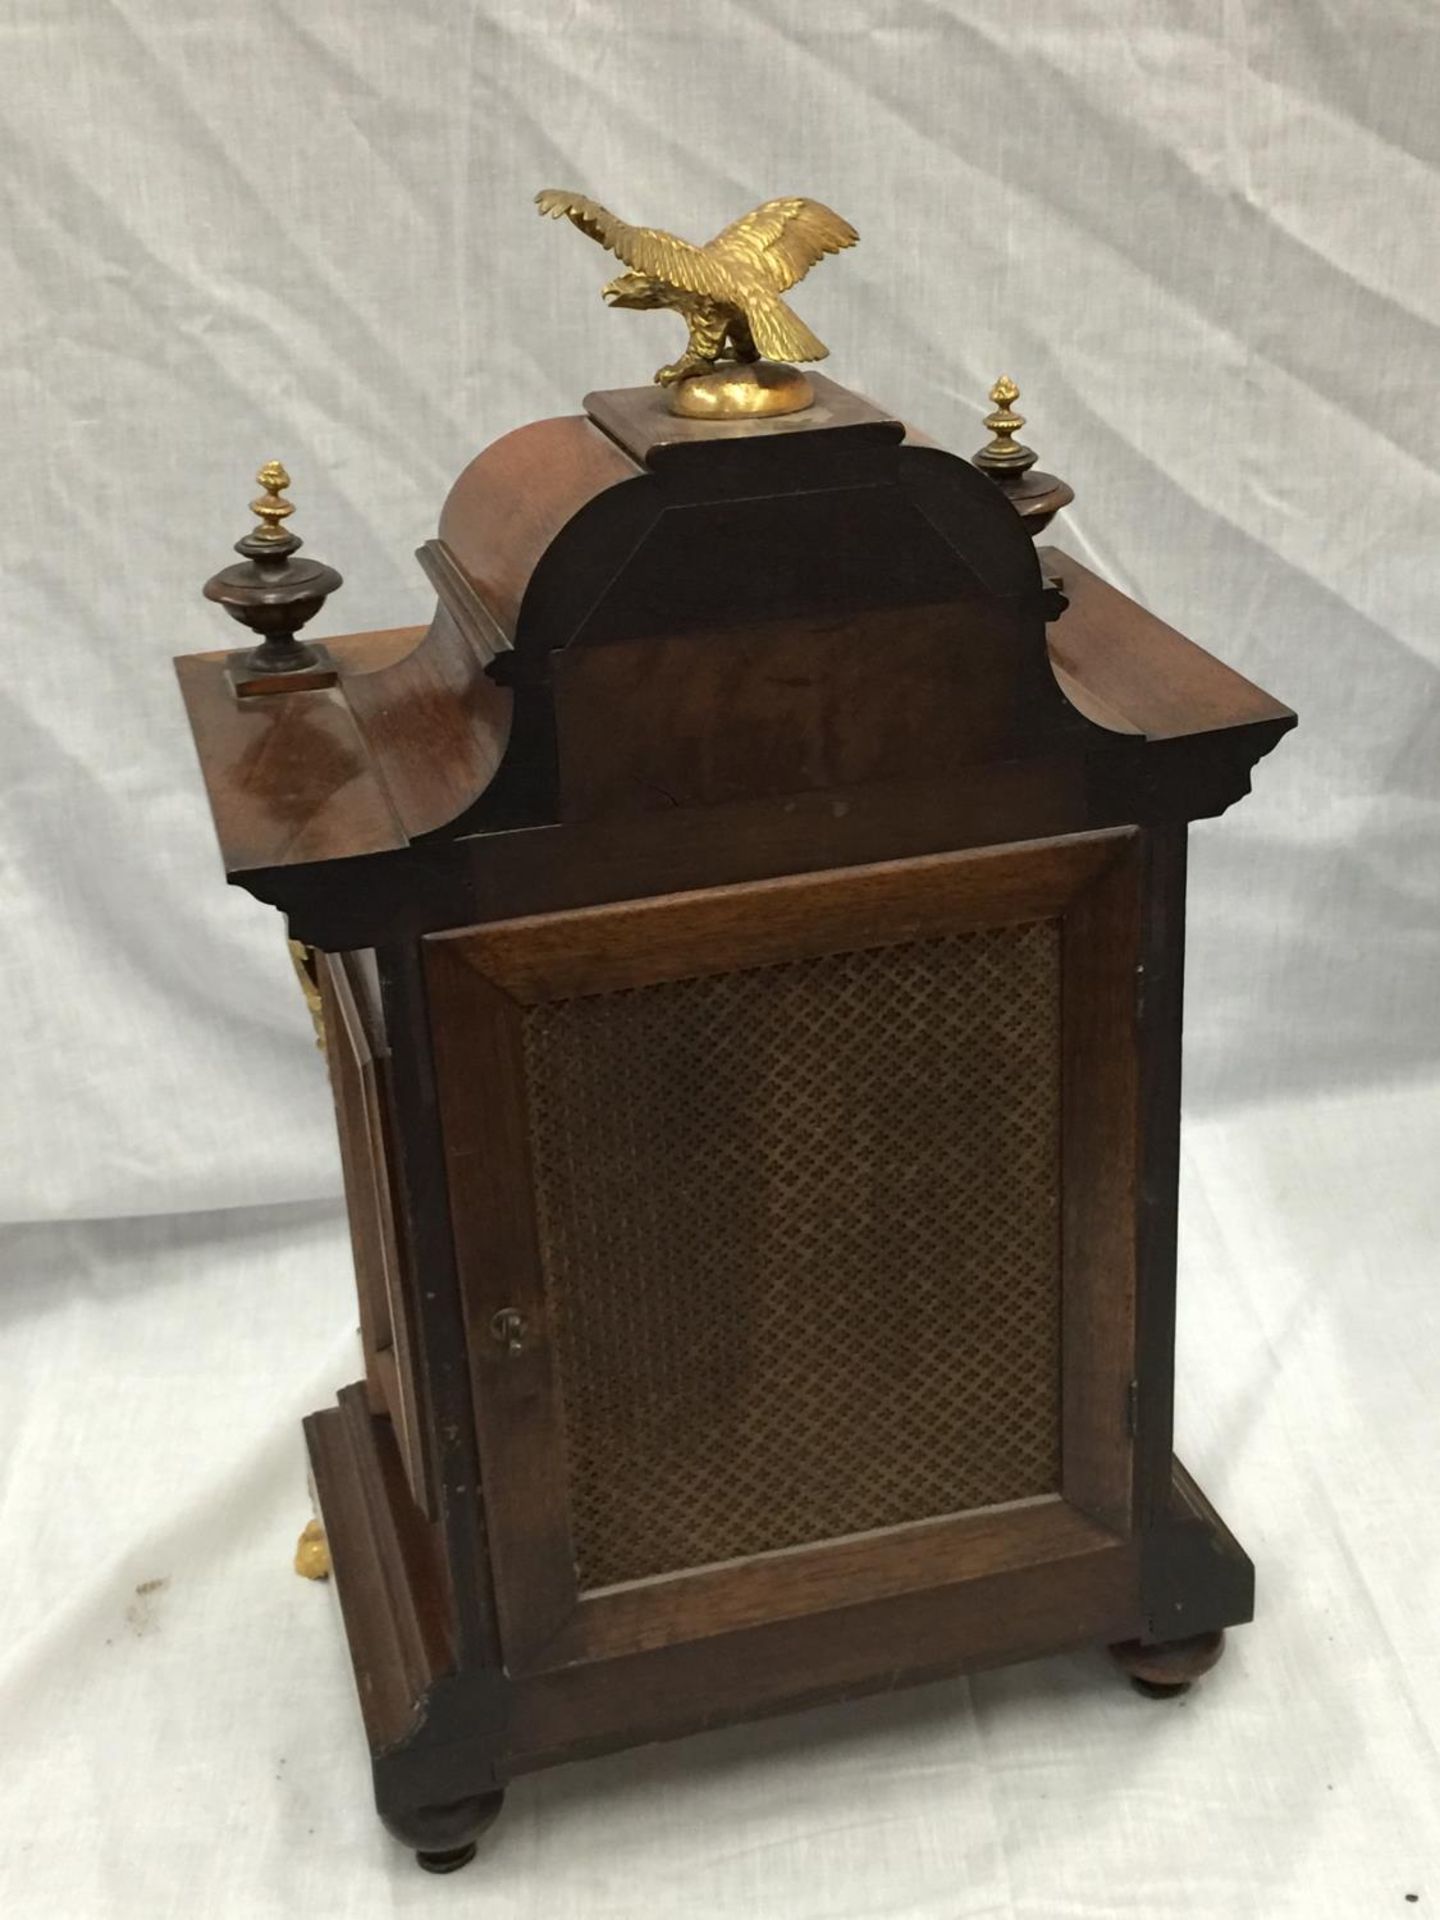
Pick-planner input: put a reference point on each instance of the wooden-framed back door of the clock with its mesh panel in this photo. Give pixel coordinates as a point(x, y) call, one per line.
point(796, 1230)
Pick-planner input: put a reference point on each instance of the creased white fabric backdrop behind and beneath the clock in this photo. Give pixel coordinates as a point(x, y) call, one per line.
point(1199, 237)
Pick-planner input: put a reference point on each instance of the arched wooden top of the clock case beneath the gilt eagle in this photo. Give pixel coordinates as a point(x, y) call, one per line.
point(817, 621)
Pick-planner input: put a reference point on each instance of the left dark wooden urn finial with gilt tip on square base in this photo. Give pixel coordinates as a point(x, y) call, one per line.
point(276, 594)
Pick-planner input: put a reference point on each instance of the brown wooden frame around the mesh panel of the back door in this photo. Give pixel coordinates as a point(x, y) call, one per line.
point(483, 978)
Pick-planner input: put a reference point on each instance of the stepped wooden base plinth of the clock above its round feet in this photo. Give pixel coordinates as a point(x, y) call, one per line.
point(441, 1733)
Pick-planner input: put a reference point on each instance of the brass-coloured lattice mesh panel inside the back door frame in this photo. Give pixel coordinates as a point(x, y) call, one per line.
point(802, 1245)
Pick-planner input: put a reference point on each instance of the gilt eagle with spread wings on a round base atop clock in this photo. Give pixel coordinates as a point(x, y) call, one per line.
point(729, 295)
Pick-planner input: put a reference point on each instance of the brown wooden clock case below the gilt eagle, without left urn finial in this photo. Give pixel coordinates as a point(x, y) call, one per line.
point(750, 926)
